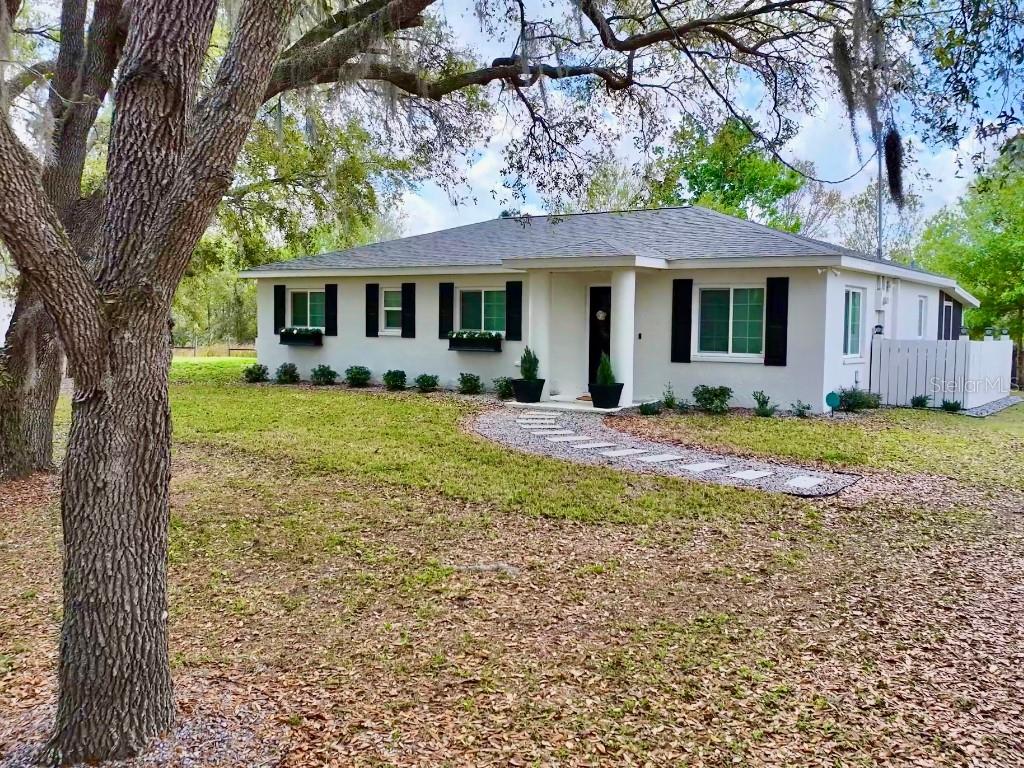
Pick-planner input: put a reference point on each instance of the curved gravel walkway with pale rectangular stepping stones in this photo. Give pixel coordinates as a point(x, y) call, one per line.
point(589, 439)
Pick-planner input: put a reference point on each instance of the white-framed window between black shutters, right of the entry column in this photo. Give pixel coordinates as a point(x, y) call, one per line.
point(732, 321)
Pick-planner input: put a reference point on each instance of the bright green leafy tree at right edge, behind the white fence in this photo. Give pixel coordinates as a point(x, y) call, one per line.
point(982, 242)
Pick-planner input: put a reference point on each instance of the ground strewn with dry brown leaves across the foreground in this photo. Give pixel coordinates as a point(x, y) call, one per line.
point(325, 620)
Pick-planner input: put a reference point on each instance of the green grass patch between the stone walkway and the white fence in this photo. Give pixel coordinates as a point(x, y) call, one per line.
point(985, 451)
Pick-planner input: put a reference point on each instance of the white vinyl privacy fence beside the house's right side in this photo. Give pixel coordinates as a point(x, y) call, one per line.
point(972, 372)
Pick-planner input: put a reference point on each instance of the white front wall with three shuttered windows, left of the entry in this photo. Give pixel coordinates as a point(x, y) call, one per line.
point(424, 355)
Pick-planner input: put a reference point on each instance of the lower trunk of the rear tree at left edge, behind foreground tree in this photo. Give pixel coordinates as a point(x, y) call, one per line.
point(31, 367)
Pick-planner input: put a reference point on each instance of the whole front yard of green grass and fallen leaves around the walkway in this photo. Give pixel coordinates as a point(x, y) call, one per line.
point(394, 590)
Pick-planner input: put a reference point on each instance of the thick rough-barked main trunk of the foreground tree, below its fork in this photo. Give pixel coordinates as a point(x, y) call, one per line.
point(115, 678)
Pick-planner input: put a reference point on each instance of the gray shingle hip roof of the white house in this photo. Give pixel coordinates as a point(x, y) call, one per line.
point(688, 233)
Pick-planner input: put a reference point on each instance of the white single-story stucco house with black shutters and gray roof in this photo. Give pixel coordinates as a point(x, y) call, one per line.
point(681, 295)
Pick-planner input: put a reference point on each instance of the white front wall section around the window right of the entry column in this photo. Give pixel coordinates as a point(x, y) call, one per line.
point(801, 378)
